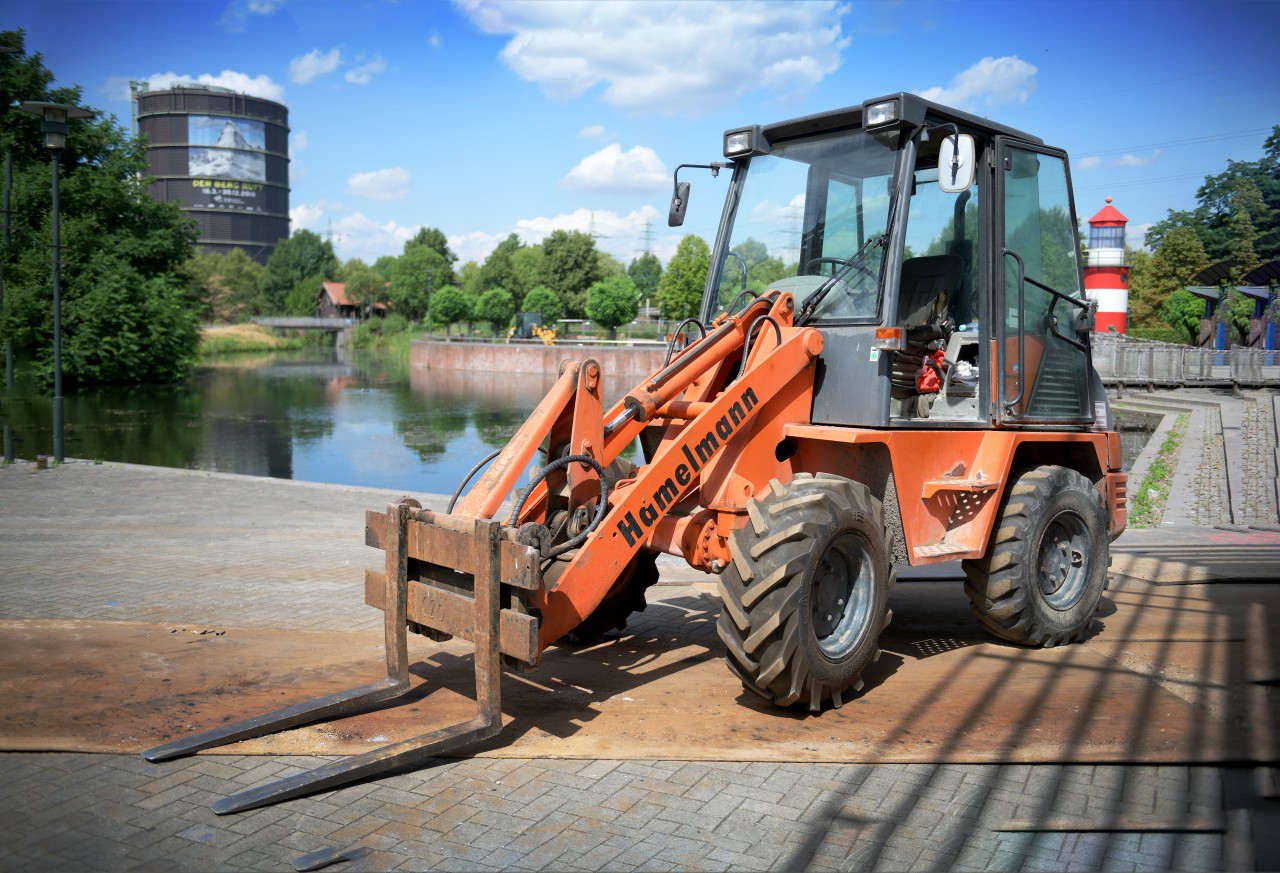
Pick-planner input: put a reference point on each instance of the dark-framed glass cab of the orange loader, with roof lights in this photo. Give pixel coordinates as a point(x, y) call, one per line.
point(944, 303)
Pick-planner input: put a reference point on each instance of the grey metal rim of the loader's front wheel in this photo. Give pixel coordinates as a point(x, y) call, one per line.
point(843, 593)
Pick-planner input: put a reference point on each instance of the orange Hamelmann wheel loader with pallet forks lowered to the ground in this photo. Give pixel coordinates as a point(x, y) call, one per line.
point(904, 378)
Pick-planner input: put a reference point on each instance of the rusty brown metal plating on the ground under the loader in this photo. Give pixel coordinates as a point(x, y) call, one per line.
point(1165, 679)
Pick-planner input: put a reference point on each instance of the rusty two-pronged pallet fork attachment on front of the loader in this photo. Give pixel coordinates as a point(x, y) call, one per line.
point(447, 546)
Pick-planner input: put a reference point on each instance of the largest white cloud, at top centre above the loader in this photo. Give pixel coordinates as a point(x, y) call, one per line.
point(696, 56)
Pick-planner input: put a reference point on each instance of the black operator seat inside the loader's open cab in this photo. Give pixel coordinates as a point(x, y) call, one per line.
point(925, 301)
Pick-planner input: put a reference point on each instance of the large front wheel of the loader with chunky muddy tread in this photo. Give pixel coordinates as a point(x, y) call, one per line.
point(807, 595)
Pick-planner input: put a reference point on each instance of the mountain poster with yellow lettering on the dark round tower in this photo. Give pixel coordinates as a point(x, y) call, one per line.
point(227, 162)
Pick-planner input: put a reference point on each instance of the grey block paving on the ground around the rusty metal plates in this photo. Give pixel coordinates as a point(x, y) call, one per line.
point(268, 554)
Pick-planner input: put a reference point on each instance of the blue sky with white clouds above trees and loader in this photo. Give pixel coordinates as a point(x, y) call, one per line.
point(487, 117)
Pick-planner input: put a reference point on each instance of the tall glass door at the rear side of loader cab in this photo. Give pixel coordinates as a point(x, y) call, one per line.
point(1041, 314)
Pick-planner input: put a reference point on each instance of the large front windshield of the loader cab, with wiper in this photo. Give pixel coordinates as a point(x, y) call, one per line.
point(813, 212)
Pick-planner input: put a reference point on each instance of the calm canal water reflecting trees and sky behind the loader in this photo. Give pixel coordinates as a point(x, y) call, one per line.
point(365, 419)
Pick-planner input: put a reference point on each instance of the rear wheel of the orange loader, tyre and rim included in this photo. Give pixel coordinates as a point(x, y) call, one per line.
point(1046, 568)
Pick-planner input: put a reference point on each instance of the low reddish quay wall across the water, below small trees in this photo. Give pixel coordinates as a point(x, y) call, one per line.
point(634, 360)
